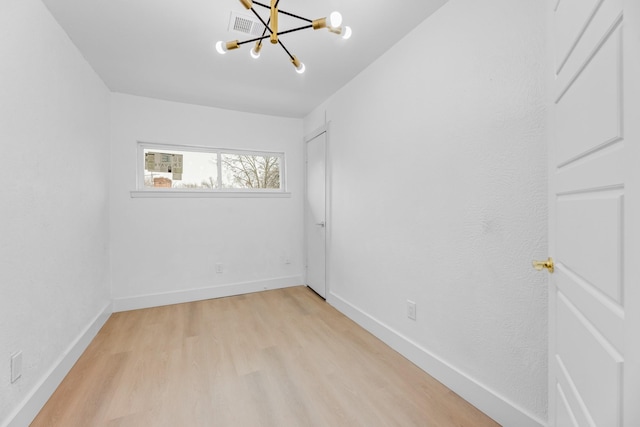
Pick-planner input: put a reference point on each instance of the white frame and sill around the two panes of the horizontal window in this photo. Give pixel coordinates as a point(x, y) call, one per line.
point(145, 192)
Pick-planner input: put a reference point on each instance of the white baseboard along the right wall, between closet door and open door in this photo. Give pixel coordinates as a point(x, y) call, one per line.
point(486, 400)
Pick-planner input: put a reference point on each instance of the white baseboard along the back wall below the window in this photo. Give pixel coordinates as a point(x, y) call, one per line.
point(189, 295)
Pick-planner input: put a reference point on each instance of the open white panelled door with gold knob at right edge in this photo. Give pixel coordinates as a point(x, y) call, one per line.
point(593, 299)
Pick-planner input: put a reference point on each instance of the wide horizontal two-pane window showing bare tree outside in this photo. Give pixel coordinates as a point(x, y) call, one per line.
point(183, 169)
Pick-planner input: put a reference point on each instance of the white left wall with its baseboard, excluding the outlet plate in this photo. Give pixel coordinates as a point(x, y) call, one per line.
point(54, 124)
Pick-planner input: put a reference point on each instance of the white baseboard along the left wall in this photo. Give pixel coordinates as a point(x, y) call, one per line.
point(24, 414)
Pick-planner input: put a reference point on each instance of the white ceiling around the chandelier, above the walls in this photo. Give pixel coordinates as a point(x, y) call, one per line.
point(165, 49)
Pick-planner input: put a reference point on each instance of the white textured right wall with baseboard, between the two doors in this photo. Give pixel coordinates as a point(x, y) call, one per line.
point(439, 196)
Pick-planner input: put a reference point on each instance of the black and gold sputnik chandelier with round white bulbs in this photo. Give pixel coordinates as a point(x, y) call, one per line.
point(334, 25)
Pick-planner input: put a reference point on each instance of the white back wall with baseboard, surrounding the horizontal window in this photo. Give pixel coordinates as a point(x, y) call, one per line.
point(165, 250)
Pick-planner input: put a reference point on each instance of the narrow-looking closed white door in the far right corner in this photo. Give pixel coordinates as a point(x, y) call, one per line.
point(315, 214)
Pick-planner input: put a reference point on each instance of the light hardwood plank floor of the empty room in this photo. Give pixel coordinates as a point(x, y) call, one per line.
point(277, 358)
